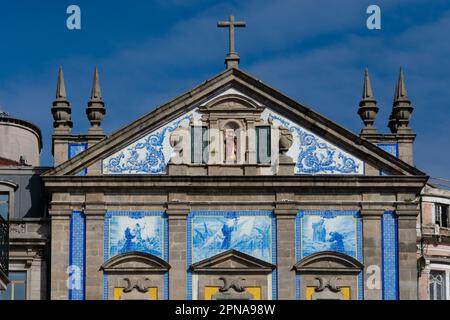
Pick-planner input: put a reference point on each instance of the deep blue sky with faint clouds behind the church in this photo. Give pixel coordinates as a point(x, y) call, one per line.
point(151, 51)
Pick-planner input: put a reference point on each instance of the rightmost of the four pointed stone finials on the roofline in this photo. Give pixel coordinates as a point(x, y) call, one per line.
point(402, 109)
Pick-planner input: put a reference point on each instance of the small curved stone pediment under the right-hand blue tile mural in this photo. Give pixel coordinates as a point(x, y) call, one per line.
point(329, 261)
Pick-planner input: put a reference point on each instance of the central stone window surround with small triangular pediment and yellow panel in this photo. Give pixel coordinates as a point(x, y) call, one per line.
point(232, 275)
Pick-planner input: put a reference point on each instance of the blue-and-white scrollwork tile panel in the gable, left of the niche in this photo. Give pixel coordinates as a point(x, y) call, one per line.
point(149, 154)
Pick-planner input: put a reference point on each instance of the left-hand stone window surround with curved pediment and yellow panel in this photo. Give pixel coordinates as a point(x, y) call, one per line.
point(135, 276)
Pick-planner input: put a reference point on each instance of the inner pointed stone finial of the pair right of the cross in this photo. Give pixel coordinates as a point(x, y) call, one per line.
point(368, 109)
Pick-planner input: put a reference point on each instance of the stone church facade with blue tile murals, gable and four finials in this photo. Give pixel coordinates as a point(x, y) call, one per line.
point(233, 191)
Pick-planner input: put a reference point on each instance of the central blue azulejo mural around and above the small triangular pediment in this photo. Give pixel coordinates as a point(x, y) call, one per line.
point(212, 232)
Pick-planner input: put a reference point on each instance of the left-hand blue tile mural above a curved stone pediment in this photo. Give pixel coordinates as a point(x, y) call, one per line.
point(135, 231)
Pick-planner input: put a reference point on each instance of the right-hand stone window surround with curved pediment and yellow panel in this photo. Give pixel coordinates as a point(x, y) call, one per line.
point(328, 275)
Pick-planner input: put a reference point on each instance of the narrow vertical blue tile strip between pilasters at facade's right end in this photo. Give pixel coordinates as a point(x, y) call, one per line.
point(389, 256)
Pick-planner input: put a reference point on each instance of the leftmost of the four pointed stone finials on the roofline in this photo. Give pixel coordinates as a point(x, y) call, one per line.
point(61, 110)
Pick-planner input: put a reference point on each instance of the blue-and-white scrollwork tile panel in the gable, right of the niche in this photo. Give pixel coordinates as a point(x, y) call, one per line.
point(314, 155)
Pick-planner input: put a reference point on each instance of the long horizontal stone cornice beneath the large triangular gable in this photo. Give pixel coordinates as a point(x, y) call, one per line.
point(411, 183)
